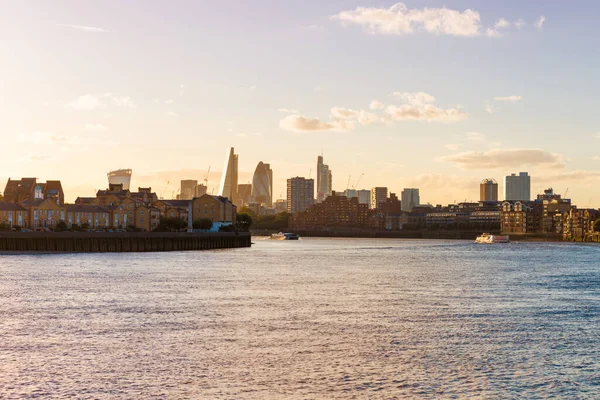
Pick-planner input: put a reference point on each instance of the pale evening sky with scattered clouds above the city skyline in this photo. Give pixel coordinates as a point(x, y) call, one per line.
point(430, 94)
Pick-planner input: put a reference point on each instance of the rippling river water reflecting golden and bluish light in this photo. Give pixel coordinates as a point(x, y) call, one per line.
point(313, 319)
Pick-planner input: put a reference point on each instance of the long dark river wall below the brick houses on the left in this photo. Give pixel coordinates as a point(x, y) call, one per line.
point(118, 242)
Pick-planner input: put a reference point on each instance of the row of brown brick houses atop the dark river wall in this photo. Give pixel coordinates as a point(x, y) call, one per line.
point(40, 206)
